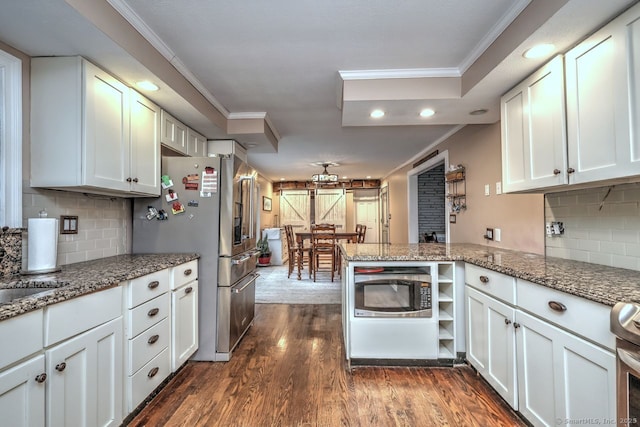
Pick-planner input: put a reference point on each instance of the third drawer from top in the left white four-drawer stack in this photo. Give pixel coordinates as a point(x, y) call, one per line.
point(148, 344)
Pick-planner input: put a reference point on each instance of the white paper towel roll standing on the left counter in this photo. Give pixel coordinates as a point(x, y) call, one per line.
point(42, 245)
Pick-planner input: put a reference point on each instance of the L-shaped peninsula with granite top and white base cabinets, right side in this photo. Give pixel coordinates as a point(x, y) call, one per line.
point(535, 327)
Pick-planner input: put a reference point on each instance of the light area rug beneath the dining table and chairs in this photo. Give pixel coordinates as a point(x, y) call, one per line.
point(273, 287)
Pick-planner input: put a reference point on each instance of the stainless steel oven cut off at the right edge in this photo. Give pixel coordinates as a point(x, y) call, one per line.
point(625, 324)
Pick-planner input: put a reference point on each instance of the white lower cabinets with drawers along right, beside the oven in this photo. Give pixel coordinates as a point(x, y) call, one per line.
point(543, 362)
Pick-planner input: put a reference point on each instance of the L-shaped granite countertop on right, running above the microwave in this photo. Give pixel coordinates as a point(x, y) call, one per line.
point(606, 285)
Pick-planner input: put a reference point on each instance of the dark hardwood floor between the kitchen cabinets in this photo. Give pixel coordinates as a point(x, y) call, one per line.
point(289, 370)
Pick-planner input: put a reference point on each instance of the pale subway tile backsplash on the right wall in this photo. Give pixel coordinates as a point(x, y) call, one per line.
point(597, 230)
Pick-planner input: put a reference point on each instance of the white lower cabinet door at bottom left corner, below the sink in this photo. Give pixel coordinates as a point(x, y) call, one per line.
point(22, 395)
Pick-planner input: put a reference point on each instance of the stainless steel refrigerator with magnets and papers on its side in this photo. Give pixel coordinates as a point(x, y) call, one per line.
point(207, 206)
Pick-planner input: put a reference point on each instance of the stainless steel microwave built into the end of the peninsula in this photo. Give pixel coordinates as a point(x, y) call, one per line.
point(392, 292)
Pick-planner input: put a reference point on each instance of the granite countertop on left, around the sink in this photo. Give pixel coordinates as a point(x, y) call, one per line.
point(82, 278)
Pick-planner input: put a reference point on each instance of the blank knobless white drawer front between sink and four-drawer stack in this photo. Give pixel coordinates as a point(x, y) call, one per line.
point(69, 318)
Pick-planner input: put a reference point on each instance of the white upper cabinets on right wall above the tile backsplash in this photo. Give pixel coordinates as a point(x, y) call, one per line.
point(580, 125)
